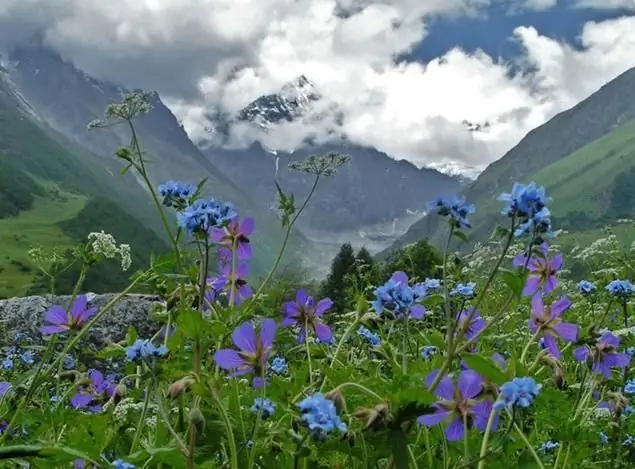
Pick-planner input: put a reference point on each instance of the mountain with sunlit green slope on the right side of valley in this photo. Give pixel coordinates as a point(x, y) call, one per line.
point(584, 156)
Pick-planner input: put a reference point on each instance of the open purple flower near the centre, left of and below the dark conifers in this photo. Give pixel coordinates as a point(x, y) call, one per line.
point(304, 312)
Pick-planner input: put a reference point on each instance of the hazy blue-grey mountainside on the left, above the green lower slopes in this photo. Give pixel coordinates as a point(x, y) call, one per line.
point(64, 98)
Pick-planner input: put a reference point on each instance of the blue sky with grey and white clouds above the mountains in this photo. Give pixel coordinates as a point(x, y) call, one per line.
point(404, 74)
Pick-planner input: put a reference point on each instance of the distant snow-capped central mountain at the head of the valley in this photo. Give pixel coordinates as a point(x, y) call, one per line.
point(371, 189)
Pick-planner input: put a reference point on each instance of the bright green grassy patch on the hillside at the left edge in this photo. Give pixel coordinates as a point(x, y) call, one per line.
point(35, 227)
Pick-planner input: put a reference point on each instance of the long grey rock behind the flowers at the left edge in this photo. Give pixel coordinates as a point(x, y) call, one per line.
point(26, 315)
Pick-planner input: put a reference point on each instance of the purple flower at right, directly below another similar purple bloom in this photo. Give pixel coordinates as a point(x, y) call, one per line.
point(546, 320)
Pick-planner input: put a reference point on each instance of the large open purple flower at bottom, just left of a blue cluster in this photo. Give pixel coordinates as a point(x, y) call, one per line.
point(459, 403)
